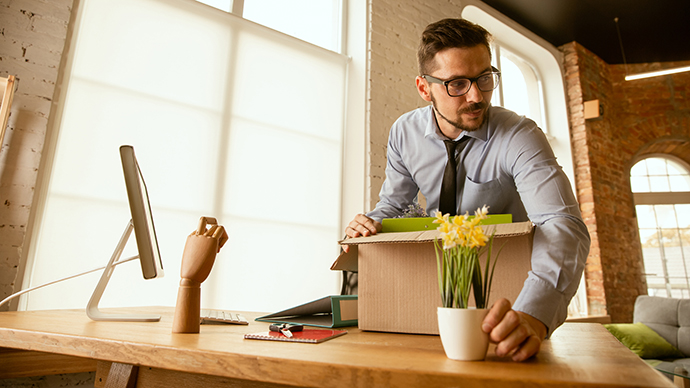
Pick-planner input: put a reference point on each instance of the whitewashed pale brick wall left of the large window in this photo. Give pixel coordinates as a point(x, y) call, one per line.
point(32, 39)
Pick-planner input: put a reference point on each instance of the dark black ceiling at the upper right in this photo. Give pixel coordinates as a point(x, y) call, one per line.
point(651, 30)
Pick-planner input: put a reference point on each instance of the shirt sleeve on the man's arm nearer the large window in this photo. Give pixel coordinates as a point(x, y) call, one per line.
point(399, 189)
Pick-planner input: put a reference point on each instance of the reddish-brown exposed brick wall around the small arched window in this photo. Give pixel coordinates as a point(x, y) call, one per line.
point(639, 118)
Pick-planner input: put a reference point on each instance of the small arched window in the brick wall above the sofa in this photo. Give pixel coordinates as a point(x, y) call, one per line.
point(661, 190)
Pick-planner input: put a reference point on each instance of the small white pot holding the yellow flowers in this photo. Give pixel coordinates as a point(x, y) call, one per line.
point(461, 333)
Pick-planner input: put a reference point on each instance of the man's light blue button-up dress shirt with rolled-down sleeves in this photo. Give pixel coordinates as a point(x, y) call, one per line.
point(508, 165)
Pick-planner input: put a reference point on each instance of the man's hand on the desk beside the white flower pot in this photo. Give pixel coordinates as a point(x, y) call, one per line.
point(515, 333)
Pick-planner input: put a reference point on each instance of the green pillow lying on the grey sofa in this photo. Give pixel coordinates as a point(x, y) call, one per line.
point(642, 340)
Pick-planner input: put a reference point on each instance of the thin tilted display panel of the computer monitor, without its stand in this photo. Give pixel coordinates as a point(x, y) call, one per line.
point(144, 231)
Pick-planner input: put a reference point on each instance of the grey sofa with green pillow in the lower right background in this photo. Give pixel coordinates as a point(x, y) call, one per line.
point(660, 333)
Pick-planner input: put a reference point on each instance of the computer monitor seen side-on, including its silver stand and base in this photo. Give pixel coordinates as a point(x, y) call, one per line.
point(145, 234)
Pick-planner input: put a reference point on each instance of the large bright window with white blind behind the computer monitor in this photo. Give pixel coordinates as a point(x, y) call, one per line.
point(218, 113)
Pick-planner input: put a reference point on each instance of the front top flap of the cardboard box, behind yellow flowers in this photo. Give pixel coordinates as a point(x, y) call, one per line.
point(500, 230)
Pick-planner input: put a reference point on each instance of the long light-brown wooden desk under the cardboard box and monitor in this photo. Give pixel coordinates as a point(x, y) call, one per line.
point(578, 355)
